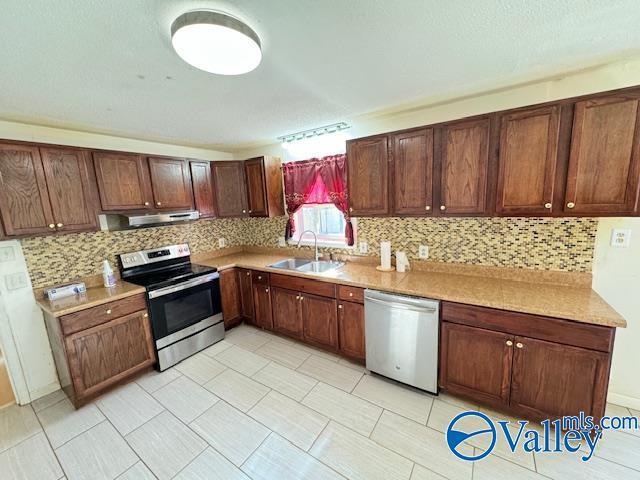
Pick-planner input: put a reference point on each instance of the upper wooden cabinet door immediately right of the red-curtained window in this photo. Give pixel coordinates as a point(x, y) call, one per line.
point(368, 176)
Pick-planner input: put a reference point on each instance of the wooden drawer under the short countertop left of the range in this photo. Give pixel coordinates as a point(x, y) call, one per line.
point(94, 316)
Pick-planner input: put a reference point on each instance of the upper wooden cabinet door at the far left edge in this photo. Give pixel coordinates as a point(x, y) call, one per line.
point(24, 199)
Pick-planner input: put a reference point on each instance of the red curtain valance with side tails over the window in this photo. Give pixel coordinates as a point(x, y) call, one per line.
point(317, 180)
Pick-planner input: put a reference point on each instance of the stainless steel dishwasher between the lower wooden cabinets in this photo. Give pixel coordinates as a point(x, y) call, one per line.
point(401, 335)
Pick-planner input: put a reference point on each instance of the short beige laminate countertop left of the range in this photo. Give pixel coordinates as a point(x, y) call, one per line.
point(94, 296)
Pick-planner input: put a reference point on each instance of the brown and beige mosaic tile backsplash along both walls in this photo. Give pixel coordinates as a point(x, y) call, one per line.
point(563, 244)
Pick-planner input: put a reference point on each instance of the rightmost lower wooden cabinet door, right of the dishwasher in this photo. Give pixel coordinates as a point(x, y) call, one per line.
point(551, 380)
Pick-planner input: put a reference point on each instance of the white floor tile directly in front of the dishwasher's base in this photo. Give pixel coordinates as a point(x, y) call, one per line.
point(400, 399)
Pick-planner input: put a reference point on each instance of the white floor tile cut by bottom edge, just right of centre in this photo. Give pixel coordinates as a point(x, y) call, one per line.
point(358, 458)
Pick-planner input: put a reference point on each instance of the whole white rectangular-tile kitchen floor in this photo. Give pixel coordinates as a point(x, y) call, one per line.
point(256, 406)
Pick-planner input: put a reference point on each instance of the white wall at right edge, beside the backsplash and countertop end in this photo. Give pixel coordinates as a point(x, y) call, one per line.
point(616, 277)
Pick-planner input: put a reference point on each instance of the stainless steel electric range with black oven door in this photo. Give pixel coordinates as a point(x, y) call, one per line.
point(183, 298)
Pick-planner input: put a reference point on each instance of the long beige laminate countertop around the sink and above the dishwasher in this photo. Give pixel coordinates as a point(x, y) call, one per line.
point(578, 303)
